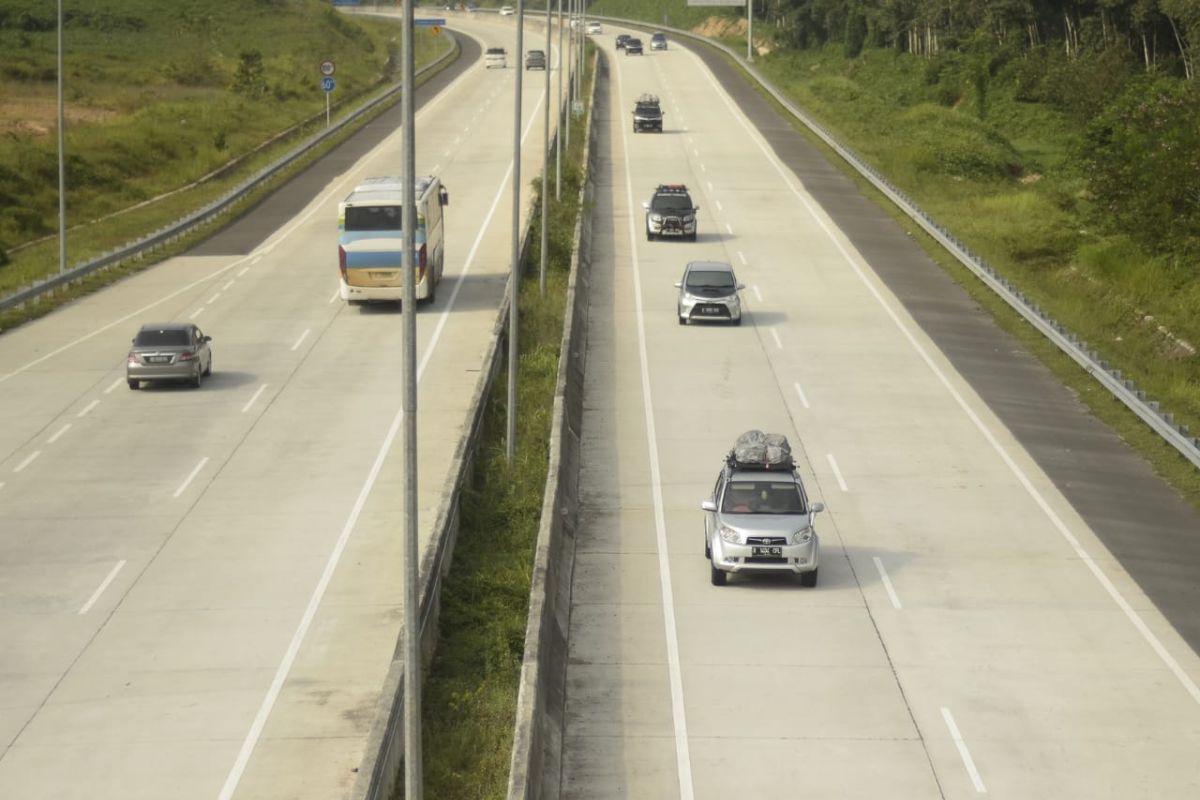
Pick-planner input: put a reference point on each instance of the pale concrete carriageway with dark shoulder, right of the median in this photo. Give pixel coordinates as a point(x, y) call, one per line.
point(974, 633)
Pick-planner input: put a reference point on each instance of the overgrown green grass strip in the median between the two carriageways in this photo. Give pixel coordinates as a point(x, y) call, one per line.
point(471, 693)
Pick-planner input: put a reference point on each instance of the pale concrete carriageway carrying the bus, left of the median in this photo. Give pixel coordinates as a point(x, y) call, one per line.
point(201, 592)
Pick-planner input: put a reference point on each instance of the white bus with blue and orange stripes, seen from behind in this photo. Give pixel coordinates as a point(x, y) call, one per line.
point(370, 240)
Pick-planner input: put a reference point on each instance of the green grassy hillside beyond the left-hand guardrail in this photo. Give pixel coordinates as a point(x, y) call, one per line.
point(169, 106)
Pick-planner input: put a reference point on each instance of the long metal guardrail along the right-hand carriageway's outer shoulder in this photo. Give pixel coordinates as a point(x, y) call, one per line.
point(1163, 423)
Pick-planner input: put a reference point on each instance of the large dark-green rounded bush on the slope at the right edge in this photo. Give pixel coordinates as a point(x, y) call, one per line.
point(1142, 158)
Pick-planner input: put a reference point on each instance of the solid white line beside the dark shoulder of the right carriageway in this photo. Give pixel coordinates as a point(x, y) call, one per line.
point(1160, 649)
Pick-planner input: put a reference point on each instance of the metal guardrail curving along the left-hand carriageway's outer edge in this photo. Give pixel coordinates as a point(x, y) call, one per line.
point(139, 249)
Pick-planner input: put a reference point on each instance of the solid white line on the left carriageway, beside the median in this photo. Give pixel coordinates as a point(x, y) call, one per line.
point(290, 657)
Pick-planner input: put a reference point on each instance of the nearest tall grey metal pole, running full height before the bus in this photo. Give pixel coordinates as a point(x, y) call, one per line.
point(415, 784)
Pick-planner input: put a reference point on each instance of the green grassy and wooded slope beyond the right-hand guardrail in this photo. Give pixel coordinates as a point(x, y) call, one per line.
point(1069, 163)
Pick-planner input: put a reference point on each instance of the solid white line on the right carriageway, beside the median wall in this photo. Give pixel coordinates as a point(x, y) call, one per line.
point(683, 755)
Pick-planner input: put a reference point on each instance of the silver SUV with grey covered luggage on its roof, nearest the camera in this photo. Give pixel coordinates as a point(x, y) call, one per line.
point(759, 519)
